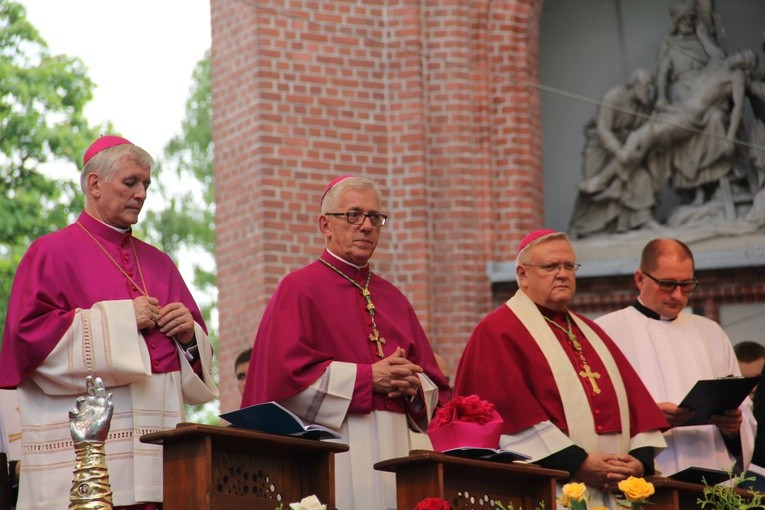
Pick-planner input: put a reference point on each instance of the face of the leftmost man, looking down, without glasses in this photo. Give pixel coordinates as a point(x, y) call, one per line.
point(118, 201)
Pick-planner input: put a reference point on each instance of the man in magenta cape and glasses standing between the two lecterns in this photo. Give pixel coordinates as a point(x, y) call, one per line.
point(341, 346)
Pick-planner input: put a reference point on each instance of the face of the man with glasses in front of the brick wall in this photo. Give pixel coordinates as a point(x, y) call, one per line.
point(354, 243)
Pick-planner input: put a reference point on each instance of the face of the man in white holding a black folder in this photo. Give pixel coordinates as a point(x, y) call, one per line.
point(669, 267)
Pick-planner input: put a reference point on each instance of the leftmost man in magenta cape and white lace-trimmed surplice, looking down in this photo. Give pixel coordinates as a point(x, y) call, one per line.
point(90, 299)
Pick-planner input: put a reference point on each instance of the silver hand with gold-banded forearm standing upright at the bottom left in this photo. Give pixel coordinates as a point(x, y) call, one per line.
point(89, 423)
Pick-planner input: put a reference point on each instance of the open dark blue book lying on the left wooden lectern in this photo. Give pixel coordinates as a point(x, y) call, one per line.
point(275, 419)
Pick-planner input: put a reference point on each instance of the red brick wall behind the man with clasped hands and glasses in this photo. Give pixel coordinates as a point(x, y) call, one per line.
point(429, 98)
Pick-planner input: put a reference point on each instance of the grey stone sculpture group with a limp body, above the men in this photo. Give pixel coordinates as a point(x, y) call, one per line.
point(687, 142)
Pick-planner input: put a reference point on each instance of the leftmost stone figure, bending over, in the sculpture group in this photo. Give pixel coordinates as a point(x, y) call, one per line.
point(617, 194)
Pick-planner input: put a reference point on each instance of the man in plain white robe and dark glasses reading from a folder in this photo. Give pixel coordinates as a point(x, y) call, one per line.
point(671, 349)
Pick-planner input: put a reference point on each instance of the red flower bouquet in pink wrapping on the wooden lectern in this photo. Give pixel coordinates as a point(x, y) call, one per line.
point(465, 421)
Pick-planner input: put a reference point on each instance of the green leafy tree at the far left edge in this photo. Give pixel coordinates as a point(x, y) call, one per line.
point(42, 99)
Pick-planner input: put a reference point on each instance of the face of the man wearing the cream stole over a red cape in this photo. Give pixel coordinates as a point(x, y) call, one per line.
point(552, 290)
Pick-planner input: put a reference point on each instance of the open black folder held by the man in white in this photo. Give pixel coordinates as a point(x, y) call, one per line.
point(713, 396)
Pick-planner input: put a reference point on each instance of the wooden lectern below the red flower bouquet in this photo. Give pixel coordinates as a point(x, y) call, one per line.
point(469, 483)
